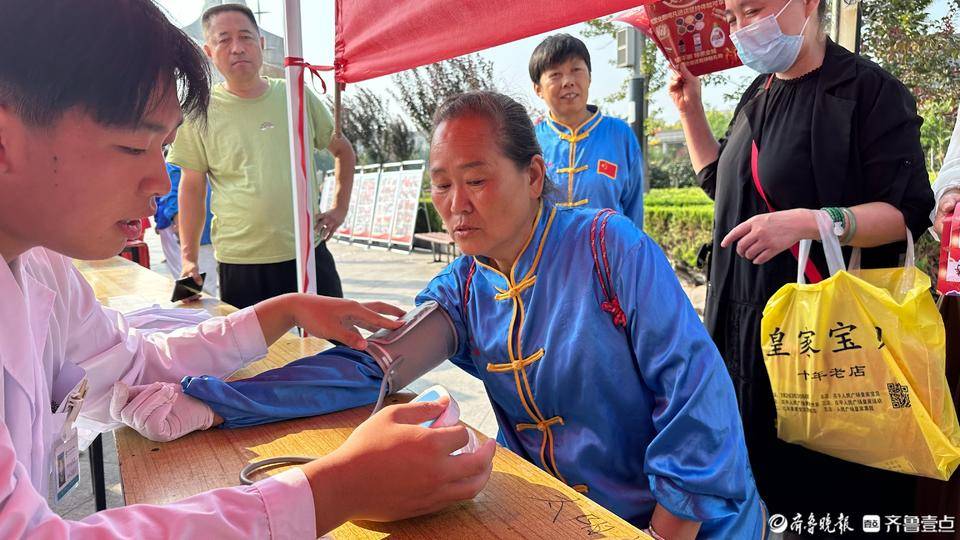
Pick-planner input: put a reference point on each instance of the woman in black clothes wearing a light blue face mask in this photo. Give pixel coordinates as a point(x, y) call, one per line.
point(820, 128)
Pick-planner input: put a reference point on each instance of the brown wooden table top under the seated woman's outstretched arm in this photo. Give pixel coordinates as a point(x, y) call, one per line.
point(519, 501)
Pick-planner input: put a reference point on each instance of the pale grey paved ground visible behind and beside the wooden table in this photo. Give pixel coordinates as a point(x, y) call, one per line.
point(368, 274)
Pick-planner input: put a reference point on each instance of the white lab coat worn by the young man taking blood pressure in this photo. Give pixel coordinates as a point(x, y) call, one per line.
point(50, 321)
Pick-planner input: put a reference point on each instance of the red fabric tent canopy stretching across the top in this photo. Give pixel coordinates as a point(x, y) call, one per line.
point(380, 37)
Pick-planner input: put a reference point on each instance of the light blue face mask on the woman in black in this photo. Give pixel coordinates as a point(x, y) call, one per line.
point(764, 47)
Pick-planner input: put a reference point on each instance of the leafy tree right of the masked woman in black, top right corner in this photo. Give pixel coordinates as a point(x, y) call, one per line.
point(923, 53)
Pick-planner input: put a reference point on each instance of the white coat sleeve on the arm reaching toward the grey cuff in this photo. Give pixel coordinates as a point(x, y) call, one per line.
point(100, 341)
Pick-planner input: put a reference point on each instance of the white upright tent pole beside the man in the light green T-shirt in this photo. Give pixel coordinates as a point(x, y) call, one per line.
point(303, 189)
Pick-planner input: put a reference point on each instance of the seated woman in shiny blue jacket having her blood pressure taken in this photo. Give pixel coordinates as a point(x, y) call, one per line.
point(597, 366)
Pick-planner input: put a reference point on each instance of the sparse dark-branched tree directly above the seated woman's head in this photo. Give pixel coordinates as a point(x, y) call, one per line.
point(421, 90)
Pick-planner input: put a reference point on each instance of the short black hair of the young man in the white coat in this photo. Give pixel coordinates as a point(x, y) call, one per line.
point(108, 58)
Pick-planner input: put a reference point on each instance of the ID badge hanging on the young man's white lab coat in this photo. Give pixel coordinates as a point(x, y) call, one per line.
point(65, 458)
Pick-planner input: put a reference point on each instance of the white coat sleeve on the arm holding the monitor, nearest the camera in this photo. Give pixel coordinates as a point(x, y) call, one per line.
point(279, 507)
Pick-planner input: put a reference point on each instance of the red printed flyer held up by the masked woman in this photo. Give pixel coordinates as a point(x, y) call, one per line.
point(689, 32)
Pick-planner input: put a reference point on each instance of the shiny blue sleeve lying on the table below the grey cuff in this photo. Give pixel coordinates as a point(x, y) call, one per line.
point(333, 380)
